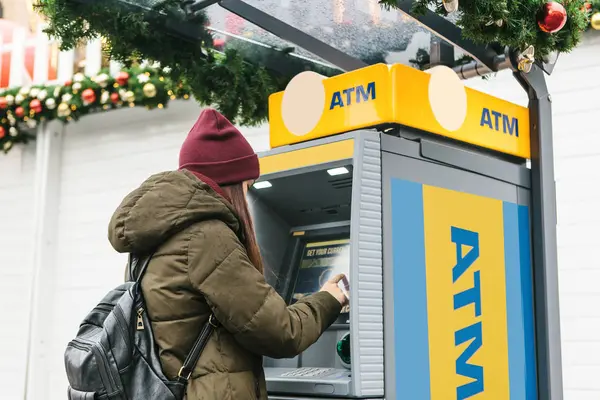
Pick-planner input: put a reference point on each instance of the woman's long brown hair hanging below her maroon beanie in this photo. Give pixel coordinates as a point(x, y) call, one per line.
point(240, 205)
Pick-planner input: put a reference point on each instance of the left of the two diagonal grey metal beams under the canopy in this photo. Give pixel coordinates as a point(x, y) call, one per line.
point(293, 35)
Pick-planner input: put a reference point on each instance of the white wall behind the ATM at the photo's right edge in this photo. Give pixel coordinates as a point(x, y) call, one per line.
point(576, 109)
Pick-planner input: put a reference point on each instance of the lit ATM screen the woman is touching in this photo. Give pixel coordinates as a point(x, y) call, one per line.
point(319, 262)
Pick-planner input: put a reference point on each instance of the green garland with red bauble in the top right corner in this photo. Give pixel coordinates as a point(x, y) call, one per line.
point(547, 26)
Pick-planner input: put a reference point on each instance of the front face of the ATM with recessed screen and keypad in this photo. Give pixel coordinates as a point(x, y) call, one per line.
point(307, 228)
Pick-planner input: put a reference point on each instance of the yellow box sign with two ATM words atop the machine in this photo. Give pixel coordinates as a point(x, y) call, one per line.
point(399, 94)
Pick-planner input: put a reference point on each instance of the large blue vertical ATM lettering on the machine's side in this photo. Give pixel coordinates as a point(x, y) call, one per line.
point(471, 334)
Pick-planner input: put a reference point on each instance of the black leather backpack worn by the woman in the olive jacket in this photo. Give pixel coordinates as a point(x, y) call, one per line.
point(114, 356)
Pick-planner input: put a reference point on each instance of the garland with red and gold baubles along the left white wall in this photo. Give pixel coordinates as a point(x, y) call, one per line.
point(22, 109)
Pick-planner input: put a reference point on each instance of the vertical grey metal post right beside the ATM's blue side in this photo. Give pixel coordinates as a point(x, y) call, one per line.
point(545, 266)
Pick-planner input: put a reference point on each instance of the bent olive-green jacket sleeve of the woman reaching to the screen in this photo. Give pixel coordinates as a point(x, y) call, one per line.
point(248, 307)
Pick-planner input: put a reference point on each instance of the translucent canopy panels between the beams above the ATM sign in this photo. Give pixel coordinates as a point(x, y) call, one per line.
point(359, 28)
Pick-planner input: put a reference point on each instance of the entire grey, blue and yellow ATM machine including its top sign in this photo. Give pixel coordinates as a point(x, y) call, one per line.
point(433, 229)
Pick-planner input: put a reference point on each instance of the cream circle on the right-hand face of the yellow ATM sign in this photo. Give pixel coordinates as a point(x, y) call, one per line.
point(447, 98)
